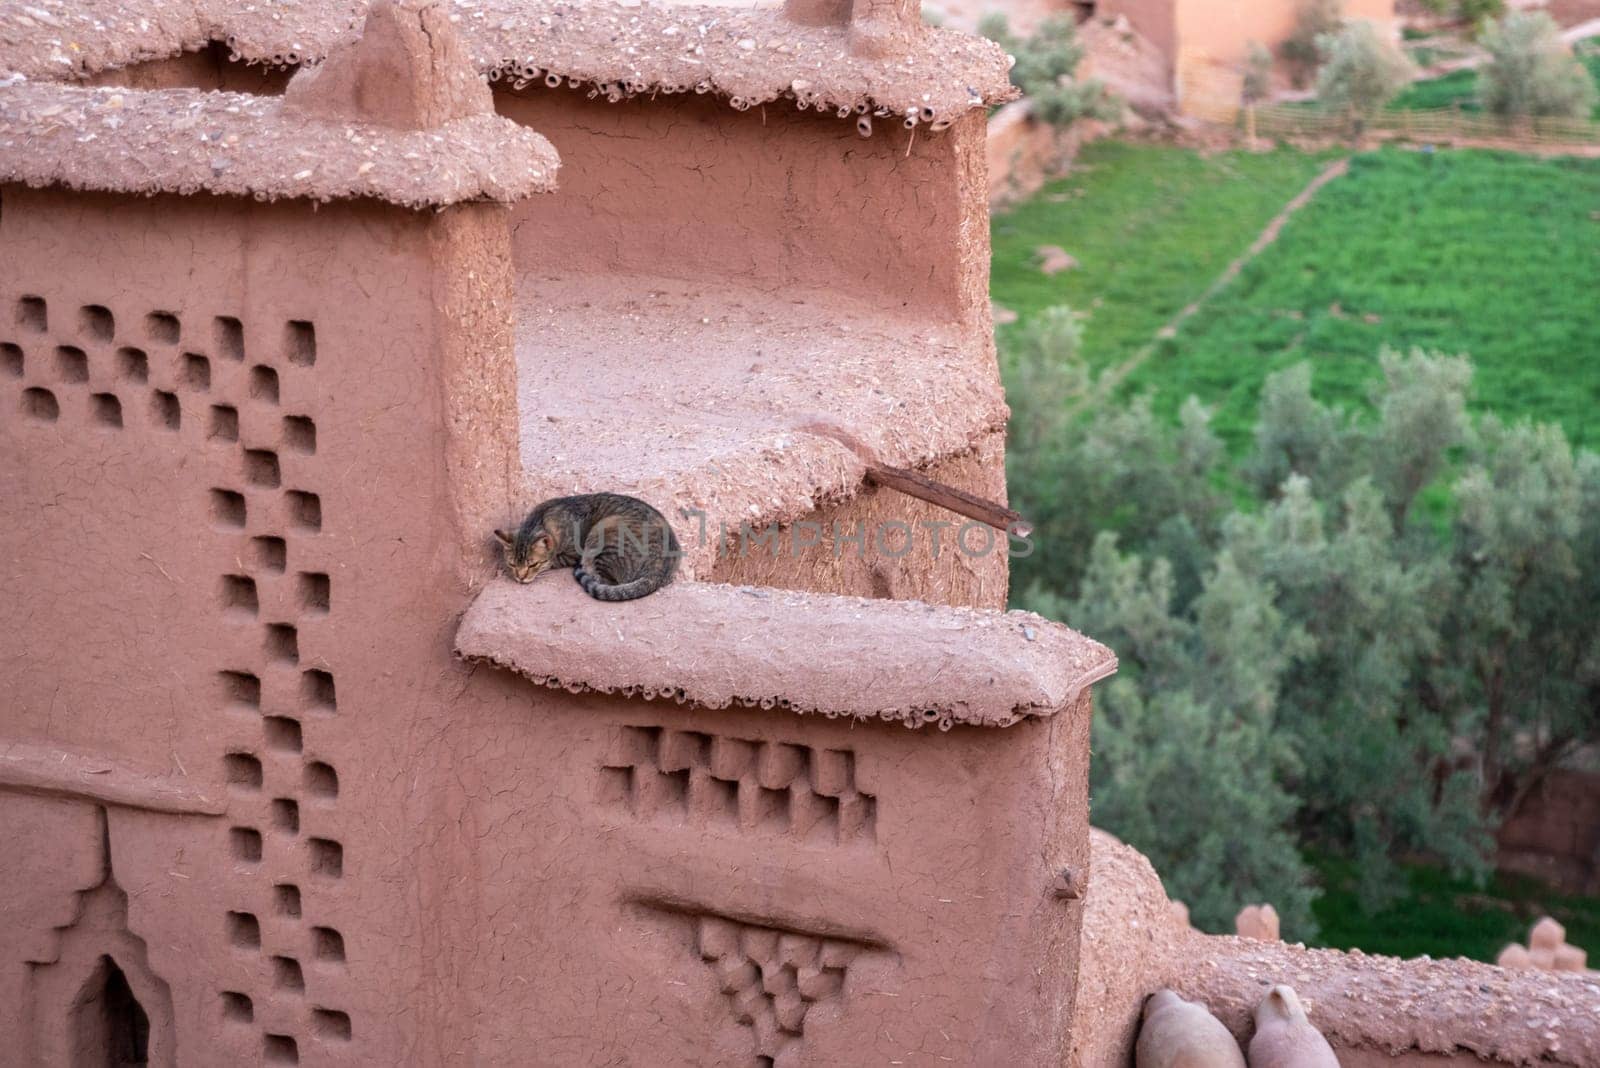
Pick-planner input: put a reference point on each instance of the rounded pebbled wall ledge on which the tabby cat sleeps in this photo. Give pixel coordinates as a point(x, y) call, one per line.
point(814, 653)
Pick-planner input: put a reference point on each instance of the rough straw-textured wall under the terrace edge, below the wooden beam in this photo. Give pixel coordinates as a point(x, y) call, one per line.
point(900, 559)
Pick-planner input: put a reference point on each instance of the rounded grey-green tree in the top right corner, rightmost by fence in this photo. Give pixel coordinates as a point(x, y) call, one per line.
point(1532, 71)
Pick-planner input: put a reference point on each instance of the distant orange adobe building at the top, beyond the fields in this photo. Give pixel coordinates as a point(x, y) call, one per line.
point(1207, 42)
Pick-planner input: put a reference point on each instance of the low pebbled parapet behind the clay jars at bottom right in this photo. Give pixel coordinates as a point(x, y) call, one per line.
point(1135, 944)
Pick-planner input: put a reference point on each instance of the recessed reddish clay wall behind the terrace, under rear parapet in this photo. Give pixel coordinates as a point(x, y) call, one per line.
point(790, 204)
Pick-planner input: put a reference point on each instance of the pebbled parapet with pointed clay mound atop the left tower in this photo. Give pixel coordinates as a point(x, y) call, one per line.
point(396, 116)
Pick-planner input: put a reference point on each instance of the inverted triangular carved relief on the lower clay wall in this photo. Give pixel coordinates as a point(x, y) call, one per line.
point(772, 978)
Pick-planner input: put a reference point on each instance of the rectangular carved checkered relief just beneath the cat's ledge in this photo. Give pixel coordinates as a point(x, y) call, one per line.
point(750, 786)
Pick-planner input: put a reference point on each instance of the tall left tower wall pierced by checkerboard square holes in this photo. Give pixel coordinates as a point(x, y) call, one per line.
point(236, 556)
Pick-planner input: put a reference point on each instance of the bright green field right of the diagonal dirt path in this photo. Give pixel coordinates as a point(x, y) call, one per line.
point(1479, 253)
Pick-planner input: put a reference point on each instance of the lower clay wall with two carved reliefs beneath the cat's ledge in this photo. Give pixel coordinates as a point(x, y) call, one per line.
point(708, 888)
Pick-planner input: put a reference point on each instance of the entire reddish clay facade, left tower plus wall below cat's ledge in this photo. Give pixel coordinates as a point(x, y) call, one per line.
point(255, 455)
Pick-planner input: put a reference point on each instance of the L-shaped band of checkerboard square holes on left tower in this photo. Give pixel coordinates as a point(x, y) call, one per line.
point(151, 377)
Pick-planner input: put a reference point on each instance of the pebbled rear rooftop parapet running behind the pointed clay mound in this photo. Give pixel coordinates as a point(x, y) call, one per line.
point(745, 55)
